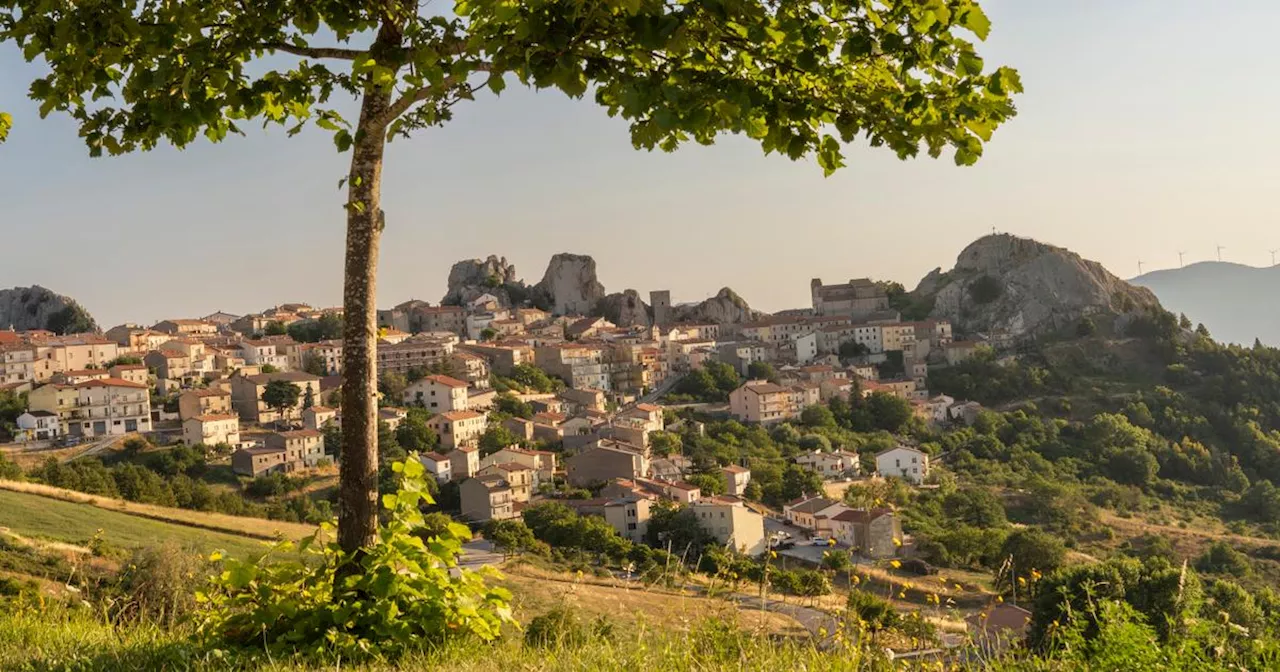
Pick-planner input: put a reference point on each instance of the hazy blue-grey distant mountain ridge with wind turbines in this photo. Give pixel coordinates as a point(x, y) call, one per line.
point(1235, 301)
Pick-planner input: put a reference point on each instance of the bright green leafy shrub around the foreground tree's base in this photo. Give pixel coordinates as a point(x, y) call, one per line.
point(396, 596)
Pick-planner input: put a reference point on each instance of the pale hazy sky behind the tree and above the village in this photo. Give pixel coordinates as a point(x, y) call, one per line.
point(1148, 129)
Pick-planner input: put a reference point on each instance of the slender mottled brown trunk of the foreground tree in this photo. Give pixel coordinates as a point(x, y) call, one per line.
point(358, 495)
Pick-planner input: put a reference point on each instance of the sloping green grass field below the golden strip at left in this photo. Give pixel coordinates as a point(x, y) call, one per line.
point(42, 518)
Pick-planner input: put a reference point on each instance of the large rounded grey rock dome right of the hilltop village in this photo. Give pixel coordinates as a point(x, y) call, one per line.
point(1005, 285)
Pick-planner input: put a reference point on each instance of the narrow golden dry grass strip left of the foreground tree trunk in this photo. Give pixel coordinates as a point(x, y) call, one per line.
point(254, 528)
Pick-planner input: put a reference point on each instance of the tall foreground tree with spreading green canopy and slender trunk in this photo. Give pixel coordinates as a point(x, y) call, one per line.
point(799, 79)
